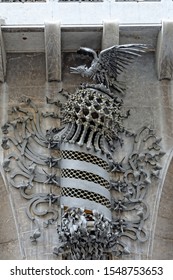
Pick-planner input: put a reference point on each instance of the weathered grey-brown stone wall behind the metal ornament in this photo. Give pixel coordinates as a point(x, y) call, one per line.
point(150, 102)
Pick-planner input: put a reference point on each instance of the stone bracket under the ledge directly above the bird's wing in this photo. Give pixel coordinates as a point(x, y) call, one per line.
point(110, 35)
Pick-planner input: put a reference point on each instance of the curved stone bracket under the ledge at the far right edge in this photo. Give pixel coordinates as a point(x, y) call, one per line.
point(164, 53)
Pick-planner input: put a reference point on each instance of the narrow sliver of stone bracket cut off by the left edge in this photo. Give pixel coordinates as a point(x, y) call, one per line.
point(2, 59)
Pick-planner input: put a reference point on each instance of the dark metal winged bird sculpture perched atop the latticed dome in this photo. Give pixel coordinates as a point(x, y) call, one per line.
point(106, 66)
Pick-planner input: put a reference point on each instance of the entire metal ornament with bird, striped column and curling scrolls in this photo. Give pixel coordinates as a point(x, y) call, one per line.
point(100, 201)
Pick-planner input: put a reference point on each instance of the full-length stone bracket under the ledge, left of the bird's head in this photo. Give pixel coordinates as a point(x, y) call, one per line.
point(53, 51)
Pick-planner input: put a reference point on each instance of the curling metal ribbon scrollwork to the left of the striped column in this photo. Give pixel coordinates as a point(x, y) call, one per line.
point(26, 165)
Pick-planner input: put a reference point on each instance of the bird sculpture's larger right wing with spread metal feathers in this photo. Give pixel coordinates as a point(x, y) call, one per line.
point(116, 58)
